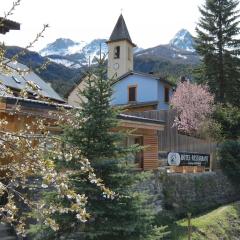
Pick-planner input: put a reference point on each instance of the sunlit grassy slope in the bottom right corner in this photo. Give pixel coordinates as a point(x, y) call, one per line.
point(220, 224)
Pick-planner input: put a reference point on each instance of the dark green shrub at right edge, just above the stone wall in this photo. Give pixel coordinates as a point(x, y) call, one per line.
point(229, 153)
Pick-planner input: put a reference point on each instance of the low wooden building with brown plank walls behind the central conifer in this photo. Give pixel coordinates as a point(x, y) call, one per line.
point(144, 131)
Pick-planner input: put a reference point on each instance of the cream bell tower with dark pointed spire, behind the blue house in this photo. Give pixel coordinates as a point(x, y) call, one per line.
point(120, 50)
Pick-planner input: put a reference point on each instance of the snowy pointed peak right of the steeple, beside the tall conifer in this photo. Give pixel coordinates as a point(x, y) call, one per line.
point(183, 40)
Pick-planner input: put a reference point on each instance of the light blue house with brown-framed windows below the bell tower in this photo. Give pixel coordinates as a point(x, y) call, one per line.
point(141, 92)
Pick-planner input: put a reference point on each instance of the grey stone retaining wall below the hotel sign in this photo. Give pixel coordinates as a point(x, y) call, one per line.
point(195, 193)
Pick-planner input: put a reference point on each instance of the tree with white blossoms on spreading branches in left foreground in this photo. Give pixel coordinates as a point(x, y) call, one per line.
point(28, 166)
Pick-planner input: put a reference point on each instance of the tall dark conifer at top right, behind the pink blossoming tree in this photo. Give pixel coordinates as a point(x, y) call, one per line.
point(217, 43)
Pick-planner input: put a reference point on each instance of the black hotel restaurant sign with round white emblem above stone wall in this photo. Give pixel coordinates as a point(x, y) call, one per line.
point(188, 159)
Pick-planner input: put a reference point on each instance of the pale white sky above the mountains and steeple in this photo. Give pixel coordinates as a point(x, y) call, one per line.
point(150, 22)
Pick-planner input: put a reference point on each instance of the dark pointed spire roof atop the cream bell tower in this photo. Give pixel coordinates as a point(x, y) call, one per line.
point(120, 32)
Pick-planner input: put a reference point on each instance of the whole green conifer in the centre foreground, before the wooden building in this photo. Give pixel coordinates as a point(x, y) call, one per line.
point(129, 215)
